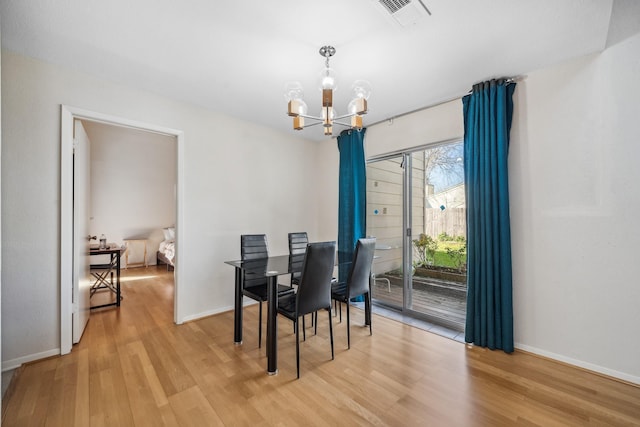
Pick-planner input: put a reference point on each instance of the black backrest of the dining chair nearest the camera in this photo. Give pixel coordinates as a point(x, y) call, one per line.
point(314, 290)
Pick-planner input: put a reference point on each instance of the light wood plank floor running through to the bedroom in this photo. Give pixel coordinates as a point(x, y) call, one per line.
point(135, 367)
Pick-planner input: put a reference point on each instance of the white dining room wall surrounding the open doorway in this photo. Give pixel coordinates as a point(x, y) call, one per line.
point(238, 178)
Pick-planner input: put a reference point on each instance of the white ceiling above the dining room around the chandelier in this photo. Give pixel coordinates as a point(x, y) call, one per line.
point(235, 57)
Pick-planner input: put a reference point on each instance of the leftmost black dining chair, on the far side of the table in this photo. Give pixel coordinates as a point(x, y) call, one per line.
point(253, 248)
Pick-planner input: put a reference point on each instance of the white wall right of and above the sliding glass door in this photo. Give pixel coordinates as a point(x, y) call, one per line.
point(574, 205)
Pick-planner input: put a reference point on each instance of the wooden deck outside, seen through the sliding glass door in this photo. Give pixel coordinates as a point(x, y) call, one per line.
point(440, 301)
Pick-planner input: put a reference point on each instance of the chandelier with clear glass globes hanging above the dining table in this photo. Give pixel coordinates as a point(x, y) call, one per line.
point(297, 108)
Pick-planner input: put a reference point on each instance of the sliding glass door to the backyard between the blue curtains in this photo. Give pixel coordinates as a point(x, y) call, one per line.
point(416, 210)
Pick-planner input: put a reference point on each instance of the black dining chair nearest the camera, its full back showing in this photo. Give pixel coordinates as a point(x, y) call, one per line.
point(313, 292)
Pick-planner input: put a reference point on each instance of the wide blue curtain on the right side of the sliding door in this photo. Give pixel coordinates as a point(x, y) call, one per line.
point(487, 120)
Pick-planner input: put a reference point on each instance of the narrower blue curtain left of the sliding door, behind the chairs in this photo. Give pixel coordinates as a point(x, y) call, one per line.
point(352, 203)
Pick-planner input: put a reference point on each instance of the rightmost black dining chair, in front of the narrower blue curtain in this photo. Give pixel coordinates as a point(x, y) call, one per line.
point(357, 281)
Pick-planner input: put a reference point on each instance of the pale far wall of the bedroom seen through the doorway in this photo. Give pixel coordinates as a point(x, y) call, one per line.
point(133, 184)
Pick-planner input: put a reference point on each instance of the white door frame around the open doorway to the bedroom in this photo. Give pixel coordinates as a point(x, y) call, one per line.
point(67, 117)
